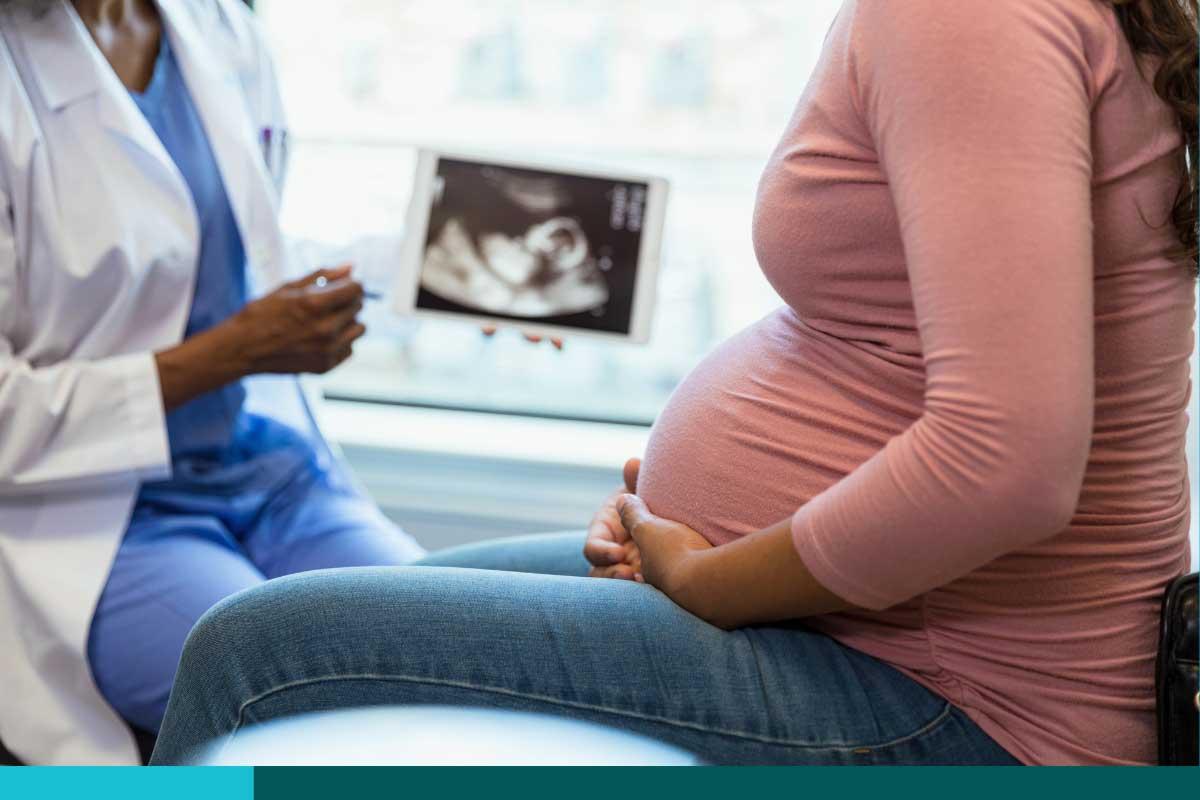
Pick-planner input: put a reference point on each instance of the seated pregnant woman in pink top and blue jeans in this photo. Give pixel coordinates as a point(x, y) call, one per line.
point(921, 515)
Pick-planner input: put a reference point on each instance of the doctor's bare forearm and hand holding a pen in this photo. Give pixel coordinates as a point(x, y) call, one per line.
point(308, 326)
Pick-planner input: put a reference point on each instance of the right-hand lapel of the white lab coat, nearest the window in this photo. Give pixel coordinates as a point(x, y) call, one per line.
point(218, 95)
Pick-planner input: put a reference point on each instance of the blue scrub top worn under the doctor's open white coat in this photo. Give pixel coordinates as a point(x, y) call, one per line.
point(215, 446)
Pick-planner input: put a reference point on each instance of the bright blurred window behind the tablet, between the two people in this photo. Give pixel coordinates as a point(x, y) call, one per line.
point(697, 92)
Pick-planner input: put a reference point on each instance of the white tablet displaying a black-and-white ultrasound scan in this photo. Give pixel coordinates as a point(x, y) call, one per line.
point(545, 249)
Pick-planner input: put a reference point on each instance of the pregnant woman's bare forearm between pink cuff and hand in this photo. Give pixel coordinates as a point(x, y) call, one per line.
point(755, 580)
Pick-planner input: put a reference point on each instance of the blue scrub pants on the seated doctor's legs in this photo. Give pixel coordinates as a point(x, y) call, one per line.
point(188, 550)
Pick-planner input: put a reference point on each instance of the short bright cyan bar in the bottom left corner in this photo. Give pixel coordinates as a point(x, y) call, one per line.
point(127, 784)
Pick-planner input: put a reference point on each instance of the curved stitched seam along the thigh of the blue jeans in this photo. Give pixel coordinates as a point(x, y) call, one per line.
point(679, 724)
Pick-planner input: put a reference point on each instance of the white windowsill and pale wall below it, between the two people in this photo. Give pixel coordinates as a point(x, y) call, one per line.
point(453, 478)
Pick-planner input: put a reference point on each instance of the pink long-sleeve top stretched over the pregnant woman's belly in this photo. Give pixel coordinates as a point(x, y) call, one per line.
point(974, 406)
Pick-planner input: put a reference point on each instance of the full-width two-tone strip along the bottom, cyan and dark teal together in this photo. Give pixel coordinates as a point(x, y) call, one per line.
point(589, 784)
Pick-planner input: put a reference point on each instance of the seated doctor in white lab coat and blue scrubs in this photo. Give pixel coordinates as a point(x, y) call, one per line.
point(157, 453)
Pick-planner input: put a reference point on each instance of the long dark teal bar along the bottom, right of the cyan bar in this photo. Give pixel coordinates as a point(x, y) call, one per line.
point(727, 784)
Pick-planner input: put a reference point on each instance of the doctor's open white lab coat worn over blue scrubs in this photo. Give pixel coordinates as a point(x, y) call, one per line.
point(99, 243)
